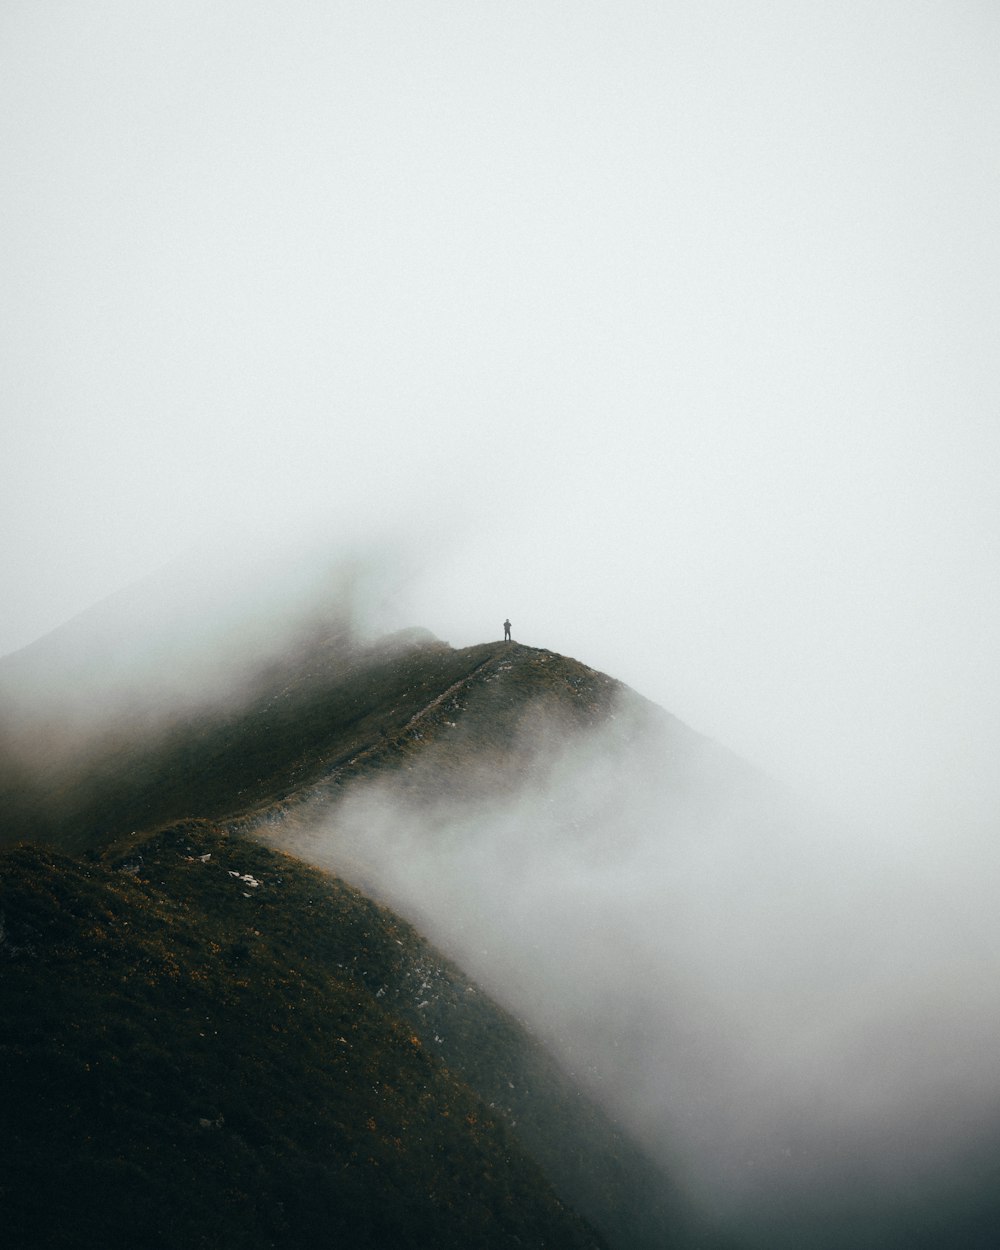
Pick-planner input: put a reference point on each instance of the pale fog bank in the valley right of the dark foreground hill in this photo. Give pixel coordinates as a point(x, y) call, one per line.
point(797, 1017)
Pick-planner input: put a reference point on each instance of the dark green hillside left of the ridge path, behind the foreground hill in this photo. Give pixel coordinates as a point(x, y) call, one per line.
point(142, 764)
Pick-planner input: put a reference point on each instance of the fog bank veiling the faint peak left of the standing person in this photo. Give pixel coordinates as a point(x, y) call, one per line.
point(197, 644)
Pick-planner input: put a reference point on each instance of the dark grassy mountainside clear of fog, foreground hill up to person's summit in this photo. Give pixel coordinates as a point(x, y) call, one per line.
point(194, 1059)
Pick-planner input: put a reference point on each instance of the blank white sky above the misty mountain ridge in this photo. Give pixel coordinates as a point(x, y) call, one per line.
point(669, 331)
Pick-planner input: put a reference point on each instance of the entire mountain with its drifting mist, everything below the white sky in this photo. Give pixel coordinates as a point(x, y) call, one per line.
point(642, 984)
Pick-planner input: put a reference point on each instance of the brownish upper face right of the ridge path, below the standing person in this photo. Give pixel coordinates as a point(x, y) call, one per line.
point(502, 728)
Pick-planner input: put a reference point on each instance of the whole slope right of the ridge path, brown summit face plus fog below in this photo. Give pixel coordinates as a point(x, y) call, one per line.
point(681, 933)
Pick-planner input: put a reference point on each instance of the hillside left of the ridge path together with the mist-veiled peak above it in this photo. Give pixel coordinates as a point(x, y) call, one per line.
point(202, 693)
